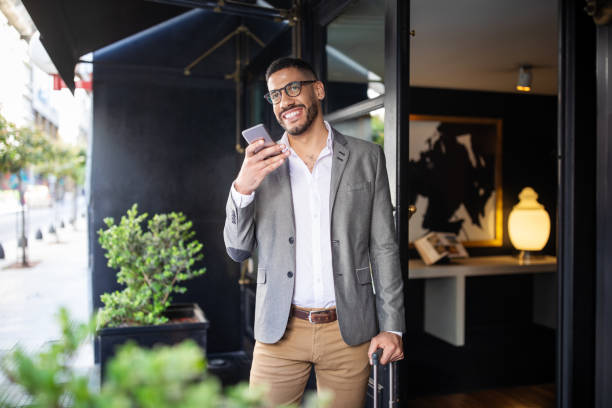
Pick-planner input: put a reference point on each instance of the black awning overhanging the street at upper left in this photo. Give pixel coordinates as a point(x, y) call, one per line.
point(72, 28)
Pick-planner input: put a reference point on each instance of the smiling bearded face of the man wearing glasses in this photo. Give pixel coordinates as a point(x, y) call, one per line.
point(296, 114)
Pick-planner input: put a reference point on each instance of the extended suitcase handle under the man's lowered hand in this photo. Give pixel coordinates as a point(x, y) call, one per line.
point(383, 384)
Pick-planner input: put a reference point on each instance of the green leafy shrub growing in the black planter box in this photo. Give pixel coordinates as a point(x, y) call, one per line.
point(151, 265)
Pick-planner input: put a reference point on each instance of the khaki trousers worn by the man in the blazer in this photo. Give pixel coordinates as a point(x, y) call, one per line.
point(284, 367)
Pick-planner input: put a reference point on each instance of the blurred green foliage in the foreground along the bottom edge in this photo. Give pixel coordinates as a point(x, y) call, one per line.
point(164, 377)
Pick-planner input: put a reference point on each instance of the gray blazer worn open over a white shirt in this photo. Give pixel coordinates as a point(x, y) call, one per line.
point(364, 249)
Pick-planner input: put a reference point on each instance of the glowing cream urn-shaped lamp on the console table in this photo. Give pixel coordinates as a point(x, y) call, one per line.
point(529, 223)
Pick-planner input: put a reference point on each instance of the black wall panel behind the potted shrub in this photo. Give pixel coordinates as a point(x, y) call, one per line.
point(168, 148)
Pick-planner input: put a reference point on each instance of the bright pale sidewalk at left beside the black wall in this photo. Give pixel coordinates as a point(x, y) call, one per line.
point(30, 297)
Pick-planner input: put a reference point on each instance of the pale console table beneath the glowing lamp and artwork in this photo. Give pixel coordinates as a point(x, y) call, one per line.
point(445, 290)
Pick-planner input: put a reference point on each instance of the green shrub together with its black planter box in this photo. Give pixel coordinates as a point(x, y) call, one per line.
point(152, 263)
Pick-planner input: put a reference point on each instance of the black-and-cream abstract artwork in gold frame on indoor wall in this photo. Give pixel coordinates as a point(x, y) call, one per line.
point(454, 178)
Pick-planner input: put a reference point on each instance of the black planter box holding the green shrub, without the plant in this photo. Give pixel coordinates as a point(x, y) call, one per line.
point(109, 339)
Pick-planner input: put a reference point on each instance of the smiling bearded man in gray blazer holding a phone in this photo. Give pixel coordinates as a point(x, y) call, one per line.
point(329, 287)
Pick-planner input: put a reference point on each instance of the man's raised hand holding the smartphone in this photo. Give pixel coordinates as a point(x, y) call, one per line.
point(256, 166)
